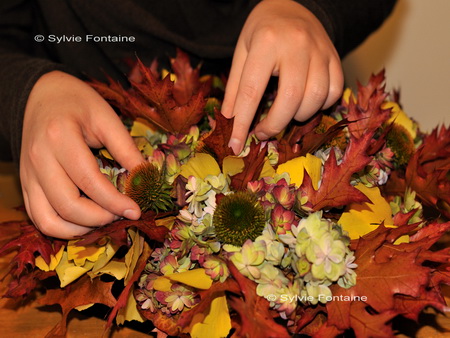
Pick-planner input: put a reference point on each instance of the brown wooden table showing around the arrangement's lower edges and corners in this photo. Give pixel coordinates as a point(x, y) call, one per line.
point(18, 319)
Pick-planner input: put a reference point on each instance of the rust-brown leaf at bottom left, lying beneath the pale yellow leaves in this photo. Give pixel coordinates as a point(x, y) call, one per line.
point(83, 292)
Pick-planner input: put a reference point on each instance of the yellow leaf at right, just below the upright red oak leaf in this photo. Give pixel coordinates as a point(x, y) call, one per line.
point(360, 219)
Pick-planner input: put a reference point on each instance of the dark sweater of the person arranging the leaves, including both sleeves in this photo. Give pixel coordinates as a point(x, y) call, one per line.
point(206, 29)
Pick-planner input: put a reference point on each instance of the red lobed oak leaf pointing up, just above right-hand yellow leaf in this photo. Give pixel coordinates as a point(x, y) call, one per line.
point(335, 189)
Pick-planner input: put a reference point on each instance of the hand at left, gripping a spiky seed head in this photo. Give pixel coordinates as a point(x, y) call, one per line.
point(63, 118)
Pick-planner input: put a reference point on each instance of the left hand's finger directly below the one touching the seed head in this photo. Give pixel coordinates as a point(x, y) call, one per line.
point(67, 200)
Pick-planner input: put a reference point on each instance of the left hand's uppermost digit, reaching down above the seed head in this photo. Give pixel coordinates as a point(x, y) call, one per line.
point(119, 143)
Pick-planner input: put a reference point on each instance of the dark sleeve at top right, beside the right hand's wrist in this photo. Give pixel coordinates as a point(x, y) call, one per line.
point(349, 22)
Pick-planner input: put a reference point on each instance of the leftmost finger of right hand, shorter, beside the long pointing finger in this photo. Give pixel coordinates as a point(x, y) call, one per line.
point(239, 57)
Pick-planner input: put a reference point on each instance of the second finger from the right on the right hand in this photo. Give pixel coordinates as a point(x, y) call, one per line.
point(316, 90)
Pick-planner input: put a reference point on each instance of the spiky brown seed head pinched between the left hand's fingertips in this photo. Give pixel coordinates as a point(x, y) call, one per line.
point(146, 186)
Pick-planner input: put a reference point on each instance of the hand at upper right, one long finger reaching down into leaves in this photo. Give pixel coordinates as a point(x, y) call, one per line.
point(280, 38)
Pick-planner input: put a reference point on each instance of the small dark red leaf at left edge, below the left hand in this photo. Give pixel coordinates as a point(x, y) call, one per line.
point(29, 244)
